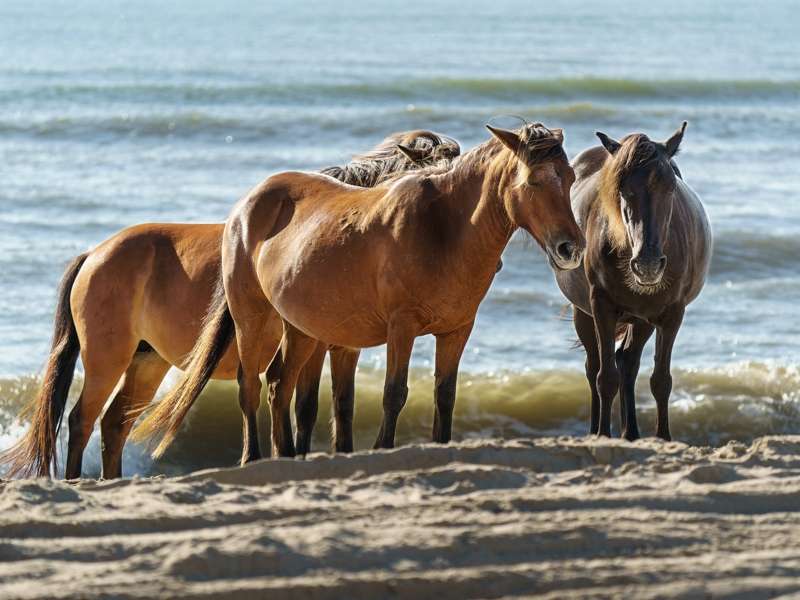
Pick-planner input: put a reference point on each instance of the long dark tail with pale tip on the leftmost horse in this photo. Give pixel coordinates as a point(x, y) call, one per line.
point(35, 454)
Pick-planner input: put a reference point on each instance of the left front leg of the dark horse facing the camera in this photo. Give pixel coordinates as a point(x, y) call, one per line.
point(605, 323)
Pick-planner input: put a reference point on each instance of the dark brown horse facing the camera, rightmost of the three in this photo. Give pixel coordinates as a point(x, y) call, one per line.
point(648, 253)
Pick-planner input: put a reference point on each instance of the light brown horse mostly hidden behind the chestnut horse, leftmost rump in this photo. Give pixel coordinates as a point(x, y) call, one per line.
point(134, 306)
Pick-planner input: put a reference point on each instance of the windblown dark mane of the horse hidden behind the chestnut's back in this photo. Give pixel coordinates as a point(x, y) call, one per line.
point(385, 161)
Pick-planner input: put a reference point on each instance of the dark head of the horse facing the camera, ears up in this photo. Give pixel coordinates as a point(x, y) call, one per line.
point(638, 190)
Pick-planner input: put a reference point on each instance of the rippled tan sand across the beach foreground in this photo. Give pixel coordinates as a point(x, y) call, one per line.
point(551, 517)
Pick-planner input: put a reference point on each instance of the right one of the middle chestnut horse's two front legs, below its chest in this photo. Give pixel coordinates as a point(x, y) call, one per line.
point(449, 348)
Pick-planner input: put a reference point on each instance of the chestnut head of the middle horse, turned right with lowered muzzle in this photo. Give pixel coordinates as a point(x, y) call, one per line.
point(537, 198)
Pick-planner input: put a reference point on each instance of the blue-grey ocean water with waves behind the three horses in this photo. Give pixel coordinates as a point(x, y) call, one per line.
point(152, 111)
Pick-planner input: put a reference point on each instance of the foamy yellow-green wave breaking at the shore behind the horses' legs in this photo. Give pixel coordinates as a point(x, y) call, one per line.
point(708, 407)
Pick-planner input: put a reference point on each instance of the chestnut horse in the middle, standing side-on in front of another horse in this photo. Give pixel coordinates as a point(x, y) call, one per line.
point(358, 268)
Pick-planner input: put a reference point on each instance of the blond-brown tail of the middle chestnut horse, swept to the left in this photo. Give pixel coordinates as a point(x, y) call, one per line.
point(215, 338)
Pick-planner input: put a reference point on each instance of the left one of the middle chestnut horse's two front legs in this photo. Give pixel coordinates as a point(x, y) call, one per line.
point(399, 343)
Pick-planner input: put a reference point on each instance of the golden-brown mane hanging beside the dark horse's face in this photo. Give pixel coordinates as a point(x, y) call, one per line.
point(636, 150)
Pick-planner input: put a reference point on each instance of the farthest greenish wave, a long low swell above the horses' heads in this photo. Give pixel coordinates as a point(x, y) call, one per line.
point(406, 89)
